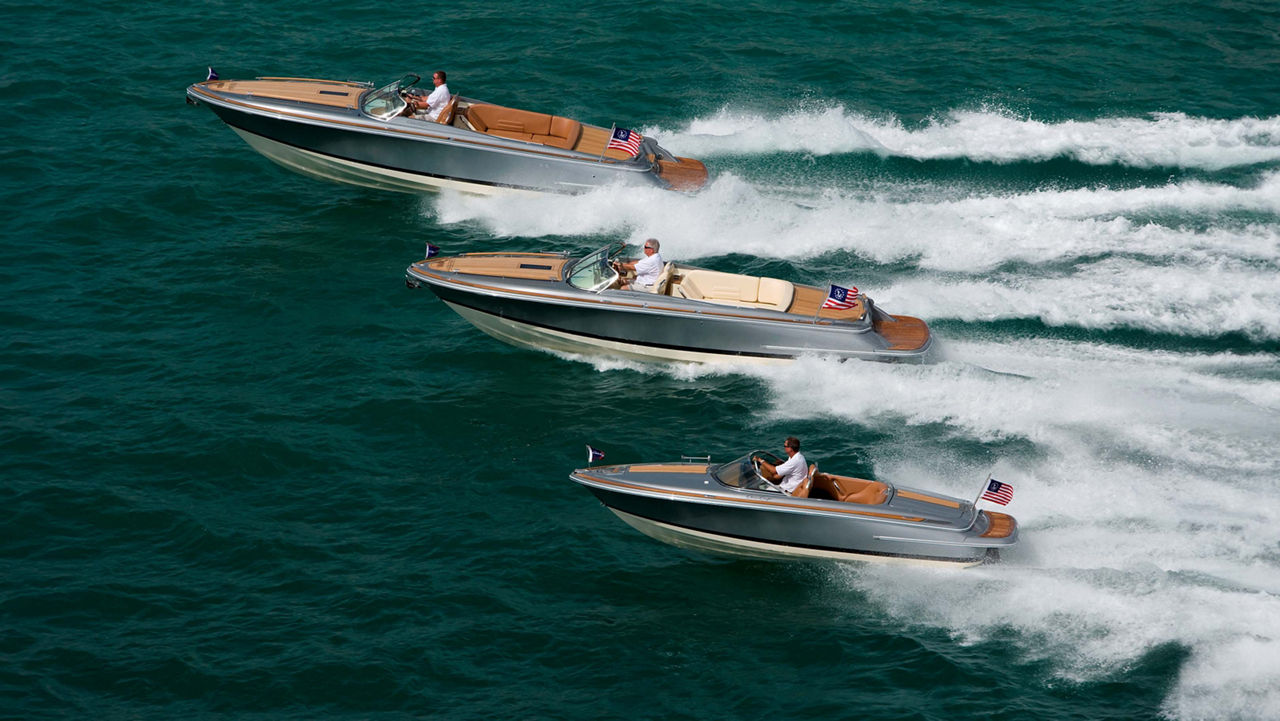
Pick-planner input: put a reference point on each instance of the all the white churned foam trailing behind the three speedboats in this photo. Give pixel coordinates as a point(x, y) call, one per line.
point(1149, 504)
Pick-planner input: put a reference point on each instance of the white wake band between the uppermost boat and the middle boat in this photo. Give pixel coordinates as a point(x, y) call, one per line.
point(1194, 259)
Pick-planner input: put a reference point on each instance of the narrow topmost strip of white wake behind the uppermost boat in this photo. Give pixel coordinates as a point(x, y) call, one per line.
point(1160, 140)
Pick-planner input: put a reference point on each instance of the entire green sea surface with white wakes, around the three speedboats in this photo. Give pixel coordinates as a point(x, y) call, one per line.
point(245, 473)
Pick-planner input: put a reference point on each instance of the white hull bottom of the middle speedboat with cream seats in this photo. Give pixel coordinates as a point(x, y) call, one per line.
point(557, 341)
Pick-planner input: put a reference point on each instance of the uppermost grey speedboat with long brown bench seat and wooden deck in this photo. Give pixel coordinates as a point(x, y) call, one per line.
point(371, 136)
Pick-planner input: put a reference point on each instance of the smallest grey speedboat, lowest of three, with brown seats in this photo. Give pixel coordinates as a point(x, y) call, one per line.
point(732, 509)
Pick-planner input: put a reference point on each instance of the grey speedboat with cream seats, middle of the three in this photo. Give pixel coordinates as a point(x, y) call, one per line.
point(557, 303)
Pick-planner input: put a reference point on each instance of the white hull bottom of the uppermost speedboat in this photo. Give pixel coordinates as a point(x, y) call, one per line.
point(346, 172)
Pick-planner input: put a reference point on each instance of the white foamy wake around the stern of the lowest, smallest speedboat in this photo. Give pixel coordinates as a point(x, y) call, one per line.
point(1146, 498)
